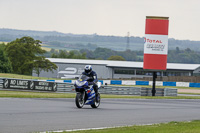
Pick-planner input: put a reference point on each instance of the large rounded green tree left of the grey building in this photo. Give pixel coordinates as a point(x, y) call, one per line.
point(24, 53)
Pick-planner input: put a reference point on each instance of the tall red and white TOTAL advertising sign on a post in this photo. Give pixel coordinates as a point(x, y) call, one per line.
point(156, 43)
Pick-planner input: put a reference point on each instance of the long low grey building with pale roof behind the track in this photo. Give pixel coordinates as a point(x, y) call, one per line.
point(106, 69)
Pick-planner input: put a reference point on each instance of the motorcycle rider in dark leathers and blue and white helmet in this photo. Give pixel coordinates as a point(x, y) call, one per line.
point(92, 74)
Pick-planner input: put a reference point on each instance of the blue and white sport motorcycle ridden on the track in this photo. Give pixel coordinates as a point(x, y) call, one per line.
point(85, 94)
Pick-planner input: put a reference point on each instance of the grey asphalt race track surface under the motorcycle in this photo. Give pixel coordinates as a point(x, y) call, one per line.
point(31, 115)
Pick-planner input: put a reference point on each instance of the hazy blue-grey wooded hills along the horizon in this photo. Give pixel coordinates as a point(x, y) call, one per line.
point(75, 41)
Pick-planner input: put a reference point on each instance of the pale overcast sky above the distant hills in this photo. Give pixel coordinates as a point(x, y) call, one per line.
point(103, 17)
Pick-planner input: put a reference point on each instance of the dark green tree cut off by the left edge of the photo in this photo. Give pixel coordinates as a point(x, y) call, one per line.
point(5, 64)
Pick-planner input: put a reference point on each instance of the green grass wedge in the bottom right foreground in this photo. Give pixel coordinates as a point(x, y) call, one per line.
point(172, 127)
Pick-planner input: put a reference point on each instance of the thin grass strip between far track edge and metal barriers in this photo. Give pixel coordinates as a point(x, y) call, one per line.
point(25, 94)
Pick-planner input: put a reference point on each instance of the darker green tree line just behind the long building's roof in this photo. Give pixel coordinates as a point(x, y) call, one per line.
point(174, 56)
